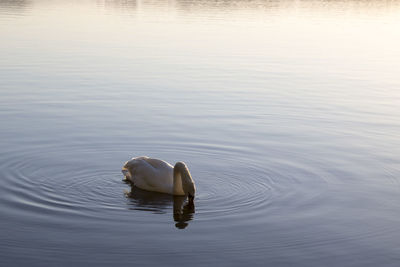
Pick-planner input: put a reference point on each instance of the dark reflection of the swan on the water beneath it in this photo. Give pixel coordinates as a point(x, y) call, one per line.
point(159, 203)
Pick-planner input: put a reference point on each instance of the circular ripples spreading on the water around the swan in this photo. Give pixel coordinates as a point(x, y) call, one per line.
point(80, 182)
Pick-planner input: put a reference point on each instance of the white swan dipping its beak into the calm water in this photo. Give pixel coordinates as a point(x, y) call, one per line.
point(160, 176)
